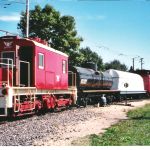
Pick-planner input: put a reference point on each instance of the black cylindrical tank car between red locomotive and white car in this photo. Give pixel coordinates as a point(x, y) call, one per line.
point(91, 84)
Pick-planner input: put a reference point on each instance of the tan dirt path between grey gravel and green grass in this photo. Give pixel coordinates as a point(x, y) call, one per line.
point(73, 135)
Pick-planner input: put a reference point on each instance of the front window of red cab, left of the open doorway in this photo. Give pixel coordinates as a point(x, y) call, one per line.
point(7, 57)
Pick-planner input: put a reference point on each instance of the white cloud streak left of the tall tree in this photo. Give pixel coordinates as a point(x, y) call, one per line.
point(12, 17)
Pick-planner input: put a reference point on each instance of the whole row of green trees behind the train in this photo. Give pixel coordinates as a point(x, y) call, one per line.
point(60, 33)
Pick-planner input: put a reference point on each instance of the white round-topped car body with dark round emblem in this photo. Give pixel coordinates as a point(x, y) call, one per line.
point(126, 82)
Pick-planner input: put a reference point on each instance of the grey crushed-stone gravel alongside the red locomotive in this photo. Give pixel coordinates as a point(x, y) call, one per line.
point(26, 131)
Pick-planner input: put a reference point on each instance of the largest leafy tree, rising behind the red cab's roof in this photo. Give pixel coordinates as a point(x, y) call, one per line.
point(49, 25)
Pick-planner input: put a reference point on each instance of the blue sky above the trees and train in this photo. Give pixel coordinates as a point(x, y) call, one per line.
point(115, 29)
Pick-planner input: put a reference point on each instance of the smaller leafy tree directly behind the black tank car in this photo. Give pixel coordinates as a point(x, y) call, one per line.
point(88, 55)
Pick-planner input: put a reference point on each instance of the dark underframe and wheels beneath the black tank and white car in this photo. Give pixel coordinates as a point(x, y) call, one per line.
point(94, 96)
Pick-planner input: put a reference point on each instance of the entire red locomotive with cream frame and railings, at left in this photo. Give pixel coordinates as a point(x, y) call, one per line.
point(33, 77)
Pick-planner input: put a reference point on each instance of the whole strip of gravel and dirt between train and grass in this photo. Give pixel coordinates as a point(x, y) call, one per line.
point(61, 128)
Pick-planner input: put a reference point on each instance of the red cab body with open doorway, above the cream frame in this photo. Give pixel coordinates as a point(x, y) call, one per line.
point(39, 65)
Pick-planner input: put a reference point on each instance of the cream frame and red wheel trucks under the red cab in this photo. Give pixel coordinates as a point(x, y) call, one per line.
point(17, 101)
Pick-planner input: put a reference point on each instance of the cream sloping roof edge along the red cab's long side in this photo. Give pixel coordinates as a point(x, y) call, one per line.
point(47, 47)
